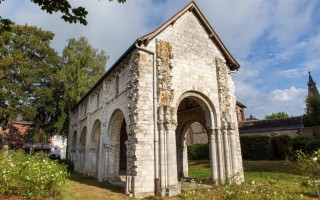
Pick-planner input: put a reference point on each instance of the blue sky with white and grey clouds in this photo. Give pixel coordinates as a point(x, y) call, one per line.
point(275, 41)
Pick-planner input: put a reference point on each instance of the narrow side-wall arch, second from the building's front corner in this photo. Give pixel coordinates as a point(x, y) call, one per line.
point(94, 148)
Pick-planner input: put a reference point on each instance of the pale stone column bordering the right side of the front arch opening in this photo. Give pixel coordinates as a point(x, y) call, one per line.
point(213, 154)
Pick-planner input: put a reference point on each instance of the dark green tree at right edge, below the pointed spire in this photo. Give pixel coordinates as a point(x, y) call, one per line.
point(312, 116)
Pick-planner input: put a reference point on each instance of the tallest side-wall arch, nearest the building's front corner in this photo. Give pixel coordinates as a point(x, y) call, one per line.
point(115, 147)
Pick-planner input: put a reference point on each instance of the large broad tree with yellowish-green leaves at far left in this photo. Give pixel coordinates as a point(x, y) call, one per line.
point(29, 81)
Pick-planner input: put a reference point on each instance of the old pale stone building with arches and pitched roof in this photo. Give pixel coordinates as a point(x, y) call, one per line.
point(133, 121)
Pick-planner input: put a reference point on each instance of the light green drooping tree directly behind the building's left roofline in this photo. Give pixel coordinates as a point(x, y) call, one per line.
point(83, 66)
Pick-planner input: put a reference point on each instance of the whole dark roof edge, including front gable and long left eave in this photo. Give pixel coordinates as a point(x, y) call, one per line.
point(231, 62)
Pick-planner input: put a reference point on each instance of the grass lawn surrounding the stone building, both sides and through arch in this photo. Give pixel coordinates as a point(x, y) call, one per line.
point(263, 180)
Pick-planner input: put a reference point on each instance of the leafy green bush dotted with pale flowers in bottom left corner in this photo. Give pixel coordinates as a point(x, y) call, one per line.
point(31, 176)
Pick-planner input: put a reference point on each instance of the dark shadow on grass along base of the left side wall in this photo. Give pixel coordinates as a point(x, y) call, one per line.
point(94, 182)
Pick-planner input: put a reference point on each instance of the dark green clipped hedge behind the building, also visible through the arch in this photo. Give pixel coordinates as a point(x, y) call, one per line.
point(259, 147)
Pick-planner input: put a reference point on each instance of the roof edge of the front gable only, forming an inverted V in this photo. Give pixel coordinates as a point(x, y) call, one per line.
point(192, 6)
